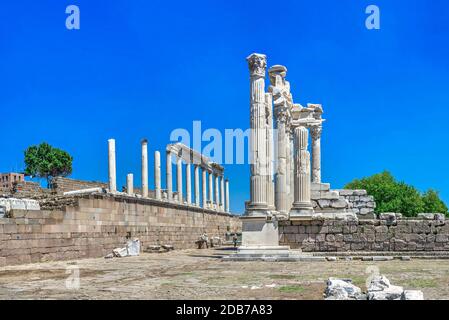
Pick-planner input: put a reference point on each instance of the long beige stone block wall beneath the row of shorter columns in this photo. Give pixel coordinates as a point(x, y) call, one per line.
point(93, 225)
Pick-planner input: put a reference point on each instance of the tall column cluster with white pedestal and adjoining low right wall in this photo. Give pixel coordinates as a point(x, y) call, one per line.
point(290, 207)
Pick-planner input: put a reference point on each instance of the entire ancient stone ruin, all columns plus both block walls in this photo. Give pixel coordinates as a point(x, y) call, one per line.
point(292, 215)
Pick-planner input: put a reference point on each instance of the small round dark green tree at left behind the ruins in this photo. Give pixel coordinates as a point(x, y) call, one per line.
point(44, 161)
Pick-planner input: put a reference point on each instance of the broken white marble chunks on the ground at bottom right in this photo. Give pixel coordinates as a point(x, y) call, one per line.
point(379, 288)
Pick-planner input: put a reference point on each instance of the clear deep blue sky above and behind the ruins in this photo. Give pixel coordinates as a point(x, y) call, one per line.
point(143, 68)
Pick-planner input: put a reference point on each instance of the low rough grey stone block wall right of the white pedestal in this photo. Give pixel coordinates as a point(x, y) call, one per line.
point(366, 235)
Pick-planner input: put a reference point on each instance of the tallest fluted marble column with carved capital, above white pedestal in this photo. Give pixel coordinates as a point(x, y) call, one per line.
point(258, 185)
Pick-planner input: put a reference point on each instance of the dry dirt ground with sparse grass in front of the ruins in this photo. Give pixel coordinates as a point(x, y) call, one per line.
point(201, 274)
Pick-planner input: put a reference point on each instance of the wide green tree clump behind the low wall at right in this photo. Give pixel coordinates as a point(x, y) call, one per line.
point(393, 196)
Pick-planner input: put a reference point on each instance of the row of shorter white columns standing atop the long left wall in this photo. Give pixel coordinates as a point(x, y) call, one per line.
point(217, 198)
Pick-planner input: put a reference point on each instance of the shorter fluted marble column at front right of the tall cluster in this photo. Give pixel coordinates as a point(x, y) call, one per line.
point(302, 204)
